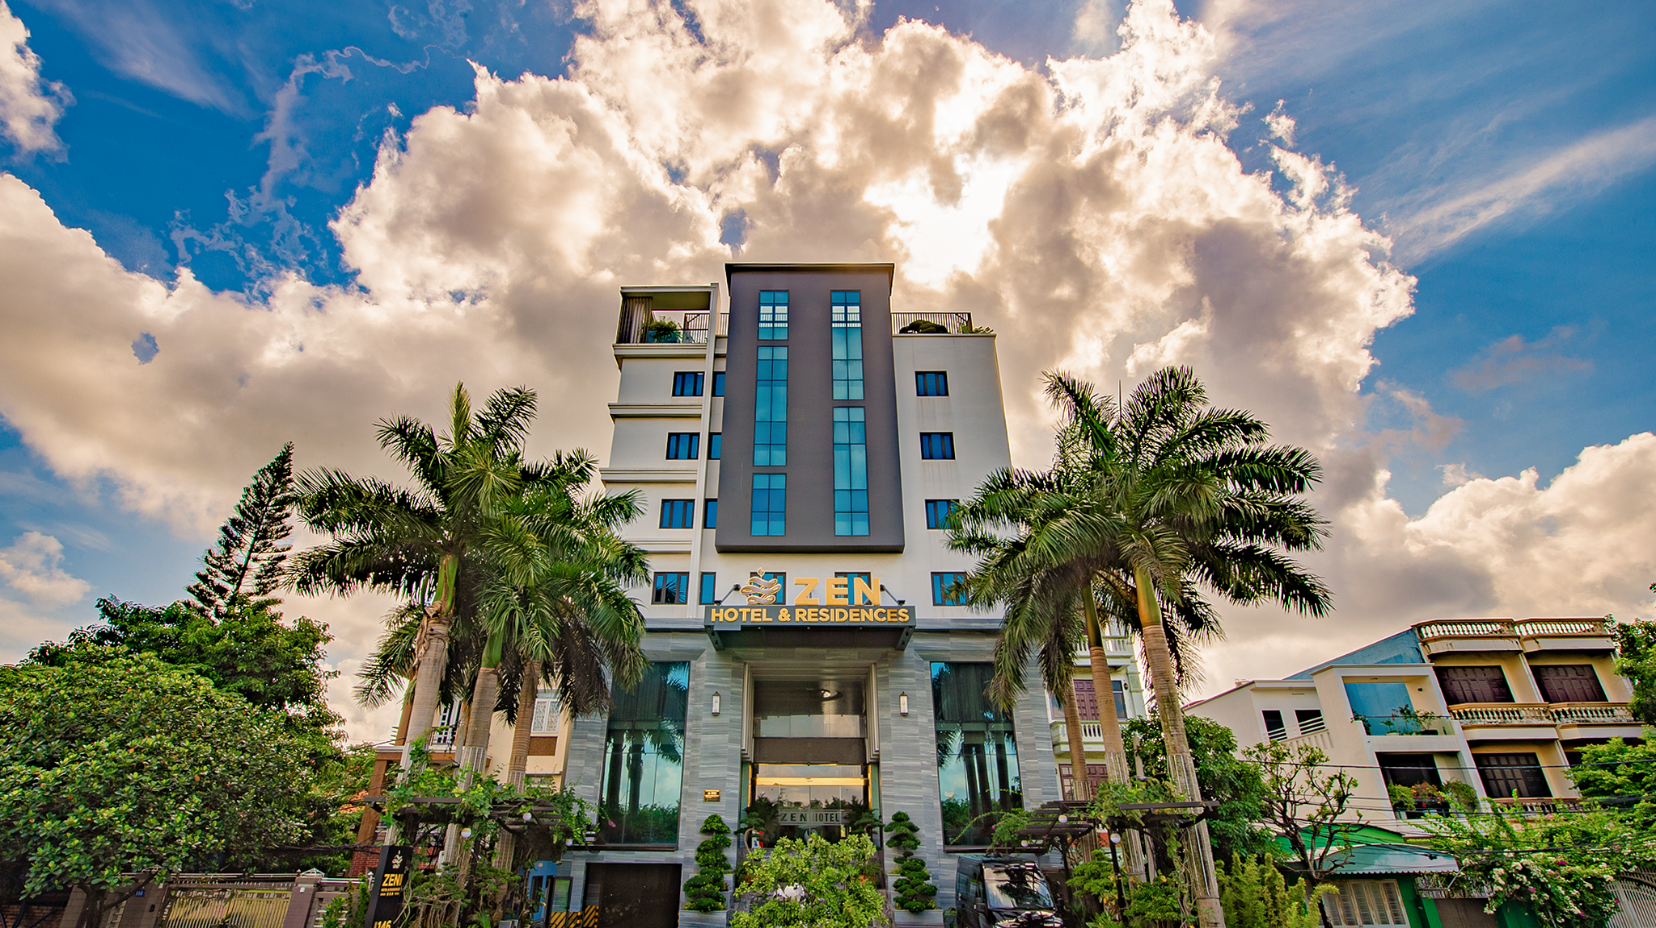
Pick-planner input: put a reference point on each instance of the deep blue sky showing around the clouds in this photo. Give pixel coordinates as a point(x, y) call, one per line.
point(1506, 150)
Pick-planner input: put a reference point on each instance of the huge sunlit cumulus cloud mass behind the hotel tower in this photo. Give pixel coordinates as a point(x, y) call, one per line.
point(1092, 211)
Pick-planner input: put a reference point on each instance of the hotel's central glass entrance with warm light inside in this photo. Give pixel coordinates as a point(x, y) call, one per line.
point(811, 768)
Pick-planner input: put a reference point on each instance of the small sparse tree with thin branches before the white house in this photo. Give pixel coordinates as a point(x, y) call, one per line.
point(1307, 806)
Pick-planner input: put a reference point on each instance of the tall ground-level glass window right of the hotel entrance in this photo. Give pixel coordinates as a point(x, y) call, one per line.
point(978, 755)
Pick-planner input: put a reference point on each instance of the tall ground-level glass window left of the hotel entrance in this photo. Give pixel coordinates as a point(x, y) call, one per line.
point(643, 768)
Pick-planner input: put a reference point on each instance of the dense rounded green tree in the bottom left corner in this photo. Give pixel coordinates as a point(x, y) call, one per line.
point(132, 766)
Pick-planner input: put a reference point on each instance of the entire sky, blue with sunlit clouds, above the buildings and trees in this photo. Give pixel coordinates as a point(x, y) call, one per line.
point(1413, 238)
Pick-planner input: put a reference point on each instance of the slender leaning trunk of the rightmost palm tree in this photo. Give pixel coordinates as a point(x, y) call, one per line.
point(1200, 854)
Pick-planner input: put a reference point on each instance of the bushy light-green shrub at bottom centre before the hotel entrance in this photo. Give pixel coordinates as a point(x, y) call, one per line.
point(812, 882)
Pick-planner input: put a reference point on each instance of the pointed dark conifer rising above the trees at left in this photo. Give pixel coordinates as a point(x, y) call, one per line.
point(248, 561)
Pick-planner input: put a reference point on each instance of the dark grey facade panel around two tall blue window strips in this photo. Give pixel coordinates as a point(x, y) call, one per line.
point(811, 518)
